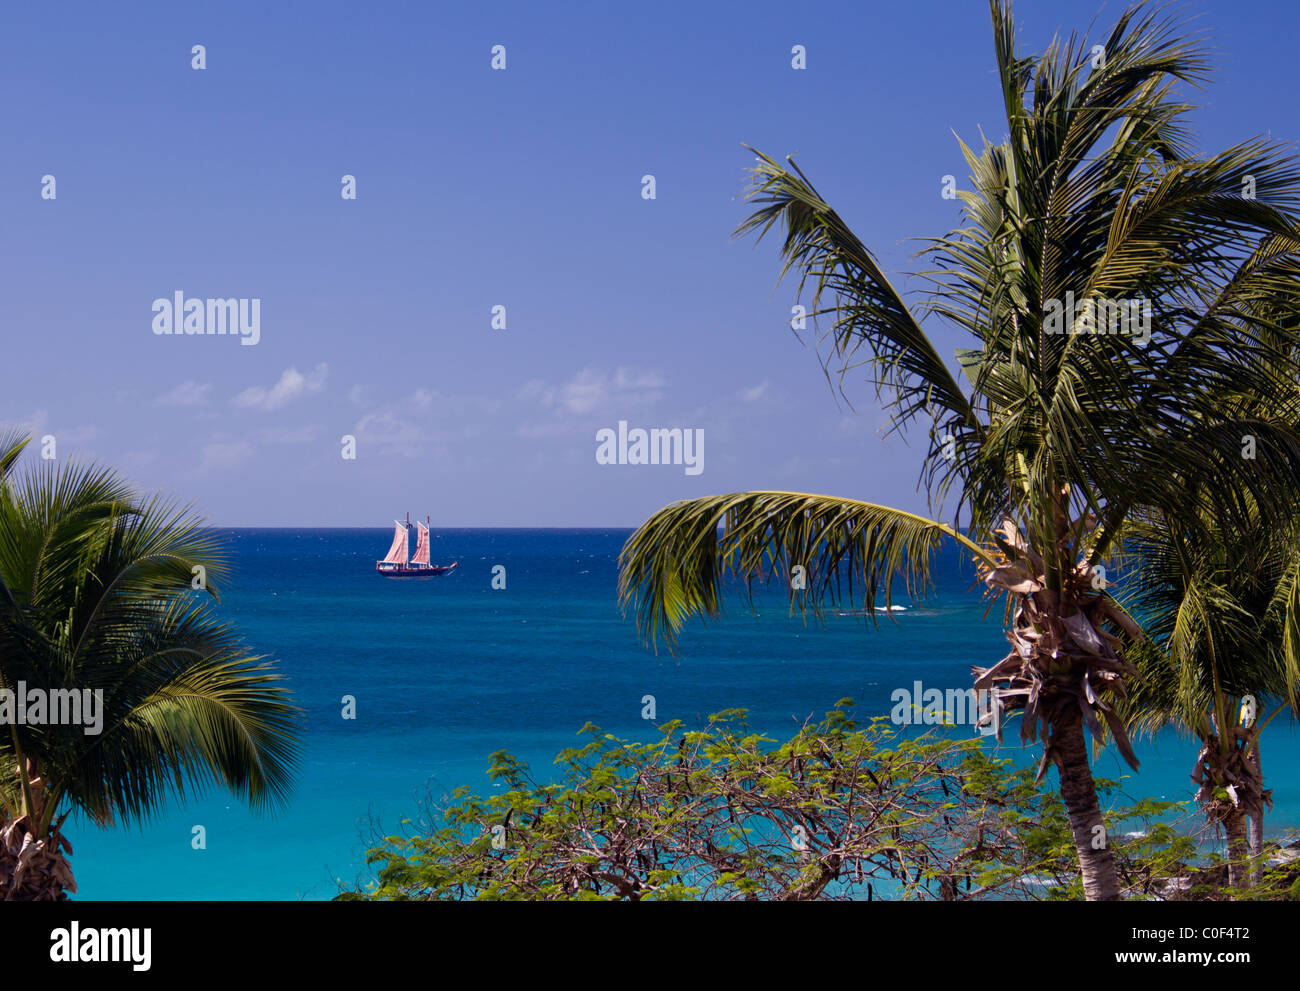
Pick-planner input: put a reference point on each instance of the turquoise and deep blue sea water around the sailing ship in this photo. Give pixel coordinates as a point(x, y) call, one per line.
point(448, 670)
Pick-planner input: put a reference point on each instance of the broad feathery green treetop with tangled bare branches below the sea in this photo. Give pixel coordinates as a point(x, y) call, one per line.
point(721, 813)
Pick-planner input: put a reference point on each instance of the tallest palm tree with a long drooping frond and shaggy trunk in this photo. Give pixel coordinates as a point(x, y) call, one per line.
point(1054, 439)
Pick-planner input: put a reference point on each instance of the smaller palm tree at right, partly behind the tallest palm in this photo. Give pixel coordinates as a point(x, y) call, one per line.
point(1221, 613)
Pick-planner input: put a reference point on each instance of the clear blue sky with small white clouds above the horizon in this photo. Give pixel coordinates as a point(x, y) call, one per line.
point(479, 189)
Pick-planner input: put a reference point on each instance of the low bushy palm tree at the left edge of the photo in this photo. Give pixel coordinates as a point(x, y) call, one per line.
point(101, 592)
